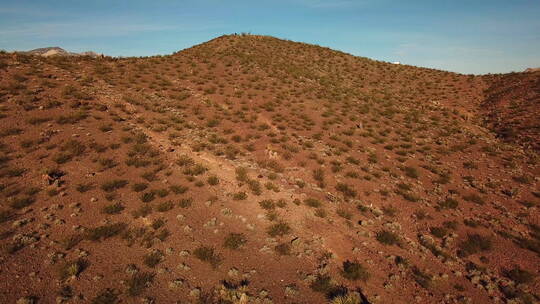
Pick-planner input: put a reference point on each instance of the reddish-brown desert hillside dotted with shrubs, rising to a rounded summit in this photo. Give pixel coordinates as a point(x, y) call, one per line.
point(250, 169)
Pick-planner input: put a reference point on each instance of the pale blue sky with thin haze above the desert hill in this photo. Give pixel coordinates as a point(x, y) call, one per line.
point(462, 36)
